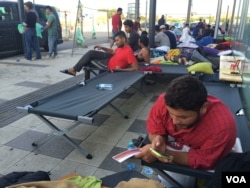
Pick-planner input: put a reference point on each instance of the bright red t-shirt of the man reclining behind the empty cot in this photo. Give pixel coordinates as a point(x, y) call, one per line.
point(122, 58)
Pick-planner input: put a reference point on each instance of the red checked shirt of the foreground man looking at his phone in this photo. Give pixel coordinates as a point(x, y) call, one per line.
point(209, 140)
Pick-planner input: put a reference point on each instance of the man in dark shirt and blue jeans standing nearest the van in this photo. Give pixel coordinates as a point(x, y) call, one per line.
point(31, 41)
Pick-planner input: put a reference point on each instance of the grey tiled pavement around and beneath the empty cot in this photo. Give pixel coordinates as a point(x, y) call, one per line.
point(22, 81)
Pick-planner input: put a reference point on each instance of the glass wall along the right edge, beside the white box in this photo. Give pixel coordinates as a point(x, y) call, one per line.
point(239, 31)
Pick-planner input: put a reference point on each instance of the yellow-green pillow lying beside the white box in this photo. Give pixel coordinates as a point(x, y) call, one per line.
point(202, 67)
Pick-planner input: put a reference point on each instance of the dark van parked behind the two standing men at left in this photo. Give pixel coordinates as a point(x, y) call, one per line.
point(10, 39)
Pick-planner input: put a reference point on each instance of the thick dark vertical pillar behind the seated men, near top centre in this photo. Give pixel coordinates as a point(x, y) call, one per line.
point(152, 11)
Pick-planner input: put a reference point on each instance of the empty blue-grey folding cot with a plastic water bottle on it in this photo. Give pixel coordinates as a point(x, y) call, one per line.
point(81, 103)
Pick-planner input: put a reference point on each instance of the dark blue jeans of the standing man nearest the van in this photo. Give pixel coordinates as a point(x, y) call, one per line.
point(31, 42)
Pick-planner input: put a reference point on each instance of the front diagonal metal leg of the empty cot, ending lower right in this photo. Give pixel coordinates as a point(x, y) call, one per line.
point(61, 133)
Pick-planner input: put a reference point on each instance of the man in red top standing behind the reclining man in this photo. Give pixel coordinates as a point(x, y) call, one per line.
point(116, 25)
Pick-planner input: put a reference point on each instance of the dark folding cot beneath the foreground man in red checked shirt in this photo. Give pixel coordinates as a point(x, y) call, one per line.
point(230, 96)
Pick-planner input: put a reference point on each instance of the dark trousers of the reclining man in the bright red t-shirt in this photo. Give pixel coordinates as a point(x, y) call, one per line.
point(89, 56)
